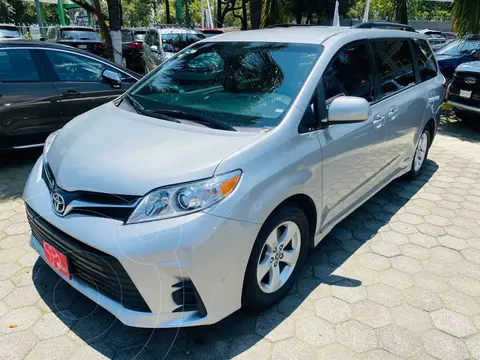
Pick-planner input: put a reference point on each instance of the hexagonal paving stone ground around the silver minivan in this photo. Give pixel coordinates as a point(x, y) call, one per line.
point(399, 278)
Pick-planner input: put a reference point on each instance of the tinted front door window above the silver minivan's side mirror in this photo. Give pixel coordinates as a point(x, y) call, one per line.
point(349, 74)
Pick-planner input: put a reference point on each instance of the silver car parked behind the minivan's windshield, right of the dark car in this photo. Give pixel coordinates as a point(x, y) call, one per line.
point(164, 41)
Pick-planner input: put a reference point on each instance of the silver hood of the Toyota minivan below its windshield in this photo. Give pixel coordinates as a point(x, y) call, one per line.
point(111, 150)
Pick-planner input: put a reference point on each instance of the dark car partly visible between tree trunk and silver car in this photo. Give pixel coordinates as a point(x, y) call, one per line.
point(132, 47)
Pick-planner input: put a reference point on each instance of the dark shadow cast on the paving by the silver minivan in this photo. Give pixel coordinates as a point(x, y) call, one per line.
point(239, 332)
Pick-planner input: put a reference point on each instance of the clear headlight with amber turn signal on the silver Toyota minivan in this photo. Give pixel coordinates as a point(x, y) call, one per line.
point(183, 199)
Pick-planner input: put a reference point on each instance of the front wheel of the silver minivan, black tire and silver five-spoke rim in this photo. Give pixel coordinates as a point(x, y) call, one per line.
point(260, 294)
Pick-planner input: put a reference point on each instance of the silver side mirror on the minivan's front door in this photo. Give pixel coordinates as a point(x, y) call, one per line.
point(349, 109)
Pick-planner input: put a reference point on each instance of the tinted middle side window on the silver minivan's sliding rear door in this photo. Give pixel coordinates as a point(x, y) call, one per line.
point(395, 65)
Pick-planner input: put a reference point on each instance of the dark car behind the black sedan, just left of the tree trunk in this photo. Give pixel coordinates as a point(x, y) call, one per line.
point(81, 37)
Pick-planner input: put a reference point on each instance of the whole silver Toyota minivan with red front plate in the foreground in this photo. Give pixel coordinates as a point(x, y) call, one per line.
point(202, 188)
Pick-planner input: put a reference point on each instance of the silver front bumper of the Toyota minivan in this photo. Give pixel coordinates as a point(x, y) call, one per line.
point(208, 251)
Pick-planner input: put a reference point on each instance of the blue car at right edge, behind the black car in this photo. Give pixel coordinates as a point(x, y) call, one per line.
point(456, 53)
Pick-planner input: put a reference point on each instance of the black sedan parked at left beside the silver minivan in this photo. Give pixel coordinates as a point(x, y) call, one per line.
point(44, 85)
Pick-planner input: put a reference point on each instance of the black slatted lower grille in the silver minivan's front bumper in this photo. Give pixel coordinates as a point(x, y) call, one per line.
point(100, 271)
